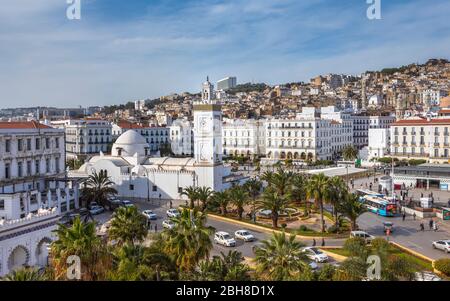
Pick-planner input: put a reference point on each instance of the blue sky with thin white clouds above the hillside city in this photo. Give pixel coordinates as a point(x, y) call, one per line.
point(123, 51)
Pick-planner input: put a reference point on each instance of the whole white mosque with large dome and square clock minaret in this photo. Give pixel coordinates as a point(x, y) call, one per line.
point(137, 175)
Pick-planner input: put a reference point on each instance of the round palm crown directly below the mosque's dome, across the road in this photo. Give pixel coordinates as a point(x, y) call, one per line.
point(128, 226)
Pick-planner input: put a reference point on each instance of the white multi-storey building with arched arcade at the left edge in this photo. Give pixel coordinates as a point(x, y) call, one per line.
point(34, 191)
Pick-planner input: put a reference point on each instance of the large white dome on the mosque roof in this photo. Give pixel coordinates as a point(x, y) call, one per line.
point(130, 143)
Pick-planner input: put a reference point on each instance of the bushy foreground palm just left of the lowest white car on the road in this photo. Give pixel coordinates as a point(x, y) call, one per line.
point(280, 258)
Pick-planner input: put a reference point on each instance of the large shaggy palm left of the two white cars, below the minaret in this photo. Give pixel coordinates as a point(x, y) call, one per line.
point(189, 241)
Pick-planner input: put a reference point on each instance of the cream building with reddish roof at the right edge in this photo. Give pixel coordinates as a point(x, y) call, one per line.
point(422, 139)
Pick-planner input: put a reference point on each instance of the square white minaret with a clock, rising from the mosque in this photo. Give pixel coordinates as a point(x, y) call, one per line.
point(208, 139)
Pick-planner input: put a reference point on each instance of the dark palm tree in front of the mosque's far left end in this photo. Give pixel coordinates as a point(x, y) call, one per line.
point(98, 188)
